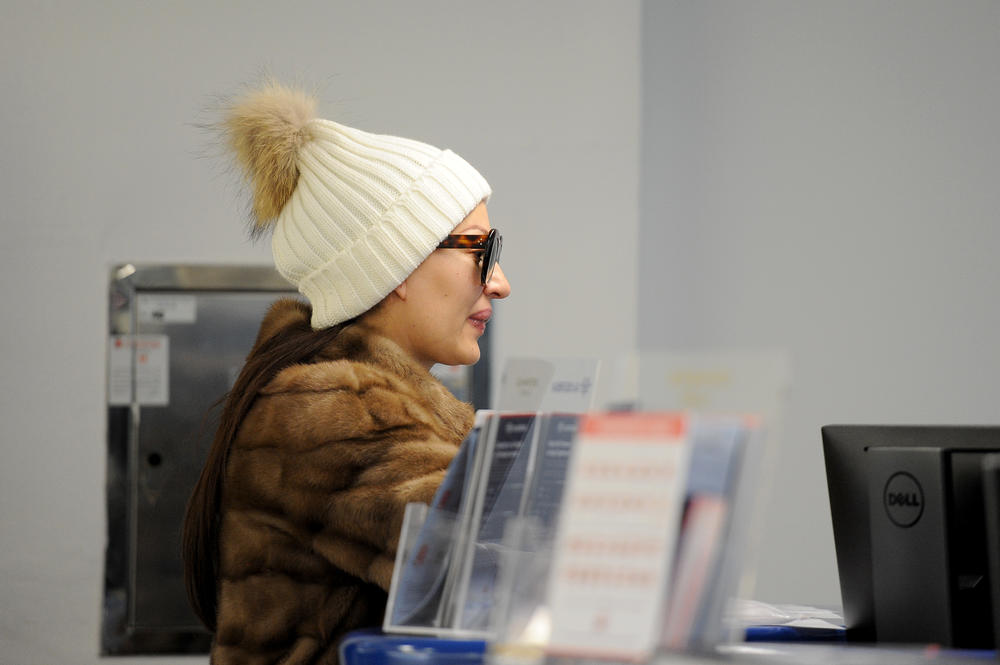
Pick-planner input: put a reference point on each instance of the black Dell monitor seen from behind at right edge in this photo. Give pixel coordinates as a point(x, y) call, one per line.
point(910, 533)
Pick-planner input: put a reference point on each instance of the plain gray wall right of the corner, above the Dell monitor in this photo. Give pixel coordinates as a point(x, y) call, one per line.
point(822, 177)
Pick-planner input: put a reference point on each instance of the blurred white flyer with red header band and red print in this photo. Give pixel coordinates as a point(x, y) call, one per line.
point(617, 535)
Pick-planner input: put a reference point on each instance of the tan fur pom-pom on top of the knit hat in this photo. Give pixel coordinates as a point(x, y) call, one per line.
point(265, 130)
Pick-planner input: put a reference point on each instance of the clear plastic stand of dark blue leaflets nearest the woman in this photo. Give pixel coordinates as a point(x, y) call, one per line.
point(446, 580)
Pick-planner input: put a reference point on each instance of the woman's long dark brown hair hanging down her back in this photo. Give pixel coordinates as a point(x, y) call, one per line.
point(200, 540)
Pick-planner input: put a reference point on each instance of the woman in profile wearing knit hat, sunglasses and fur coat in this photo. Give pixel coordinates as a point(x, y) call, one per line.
point(335, 422)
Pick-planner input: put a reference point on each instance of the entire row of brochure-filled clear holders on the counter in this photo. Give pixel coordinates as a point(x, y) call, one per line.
point(607, 535)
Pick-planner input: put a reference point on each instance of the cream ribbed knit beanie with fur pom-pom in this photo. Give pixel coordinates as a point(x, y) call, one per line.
point(353, 213)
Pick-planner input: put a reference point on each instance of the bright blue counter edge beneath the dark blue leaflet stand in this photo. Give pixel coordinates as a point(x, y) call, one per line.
point(373, 647)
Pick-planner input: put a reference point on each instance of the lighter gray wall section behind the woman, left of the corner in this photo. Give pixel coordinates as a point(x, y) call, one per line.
point(102, 163)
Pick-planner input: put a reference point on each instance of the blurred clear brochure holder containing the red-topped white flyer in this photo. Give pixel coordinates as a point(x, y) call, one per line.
point(692, 575)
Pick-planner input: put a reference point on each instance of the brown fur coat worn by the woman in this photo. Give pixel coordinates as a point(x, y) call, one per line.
point(314, 493)
